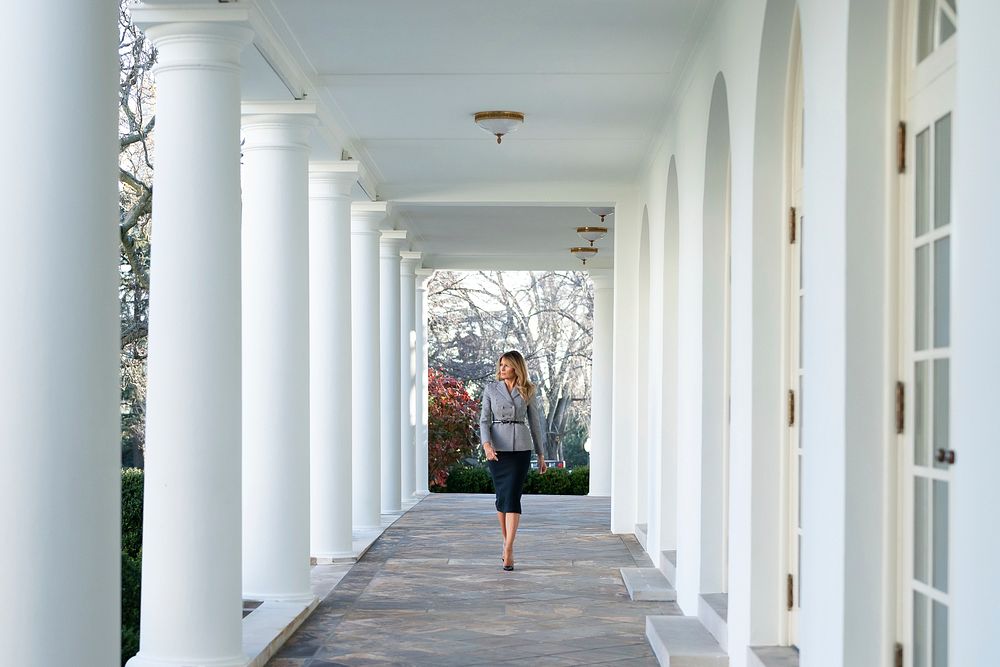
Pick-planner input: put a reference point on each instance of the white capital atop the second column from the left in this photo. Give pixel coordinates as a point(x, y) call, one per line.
point(196, 37)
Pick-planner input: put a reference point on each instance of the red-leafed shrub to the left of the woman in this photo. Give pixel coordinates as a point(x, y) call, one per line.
point(452, 417)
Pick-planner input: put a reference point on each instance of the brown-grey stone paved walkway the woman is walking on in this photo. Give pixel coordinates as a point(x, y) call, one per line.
point(430, 591)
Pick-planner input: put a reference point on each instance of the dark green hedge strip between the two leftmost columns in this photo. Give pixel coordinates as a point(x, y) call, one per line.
point(132, 479)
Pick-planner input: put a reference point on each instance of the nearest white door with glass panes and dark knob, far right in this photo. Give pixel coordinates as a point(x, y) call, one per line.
point(927, 224)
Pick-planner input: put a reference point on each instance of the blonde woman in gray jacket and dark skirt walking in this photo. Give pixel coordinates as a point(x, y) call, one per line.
point(510, 429)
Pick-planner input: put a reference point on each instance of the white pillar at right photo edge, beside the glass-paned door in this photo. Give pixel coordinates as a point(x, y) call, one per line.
point(975, 321)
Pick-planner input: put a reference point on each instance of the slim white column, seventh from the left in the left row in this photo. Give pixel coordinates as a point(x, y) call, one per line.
point(408, 372)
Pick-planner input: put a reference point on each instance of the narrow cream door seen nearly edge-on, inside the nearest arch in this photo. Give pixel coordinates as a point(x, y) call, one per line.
point(794, 364)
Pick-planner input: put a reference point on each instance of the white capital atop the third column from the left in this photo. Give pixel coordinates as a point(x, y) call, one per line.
point(278, 125)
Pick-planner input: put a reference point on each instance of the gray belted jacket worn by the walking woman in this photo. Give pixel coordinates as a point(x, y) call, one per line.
point(508, 422)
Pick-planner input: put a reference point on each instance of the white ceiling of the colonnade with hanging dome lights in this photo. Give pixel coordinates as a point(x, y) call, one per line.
point(399, 81)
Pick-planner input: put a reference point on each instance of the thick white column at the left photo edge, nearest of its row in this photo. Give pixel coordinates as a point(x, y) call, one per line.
point(59, 393)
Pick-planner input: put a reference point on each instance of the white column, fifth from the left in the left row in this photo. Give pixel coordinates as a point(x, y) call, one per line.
point(365, 424)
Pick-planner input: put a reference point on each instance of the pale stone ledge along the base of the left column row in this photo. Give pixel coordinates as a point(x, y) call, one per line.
point(272, 622)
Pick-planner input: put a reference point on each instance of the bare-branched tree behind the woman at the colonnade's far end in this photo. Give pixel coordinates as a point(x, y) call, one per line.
point(547, 316)
